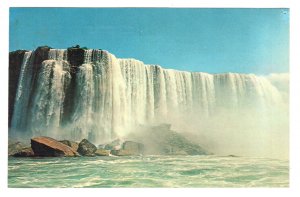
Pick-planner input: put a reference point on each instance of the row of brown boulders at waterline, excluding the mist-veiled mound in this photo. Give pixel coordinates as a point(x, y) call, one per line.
point(48, 147)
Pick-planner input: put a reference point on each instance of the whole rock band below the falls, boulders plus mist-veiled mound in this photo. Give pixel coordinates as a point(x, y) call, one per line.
point(160, 141)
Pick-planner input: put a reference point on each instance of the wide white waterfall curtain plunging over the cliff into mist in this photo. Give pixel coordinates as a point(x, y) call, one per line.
point(78, 94)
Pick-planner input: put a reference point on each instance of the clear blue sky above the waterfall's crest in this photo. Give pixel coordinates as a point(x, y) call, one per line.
point(201, 40)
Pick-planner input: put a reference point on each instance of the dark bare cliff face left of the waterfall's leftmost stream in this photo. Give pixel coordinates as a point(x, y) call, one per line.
point(15, 63)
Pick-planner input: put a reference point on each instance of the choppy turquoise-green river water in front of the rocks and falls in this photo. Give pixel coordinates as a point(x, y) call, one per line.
point(148, 171)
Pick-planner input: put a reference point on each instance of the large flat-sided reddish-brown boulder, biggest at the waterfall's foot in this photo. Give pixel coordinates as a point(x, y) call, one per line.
point(49, 147)
